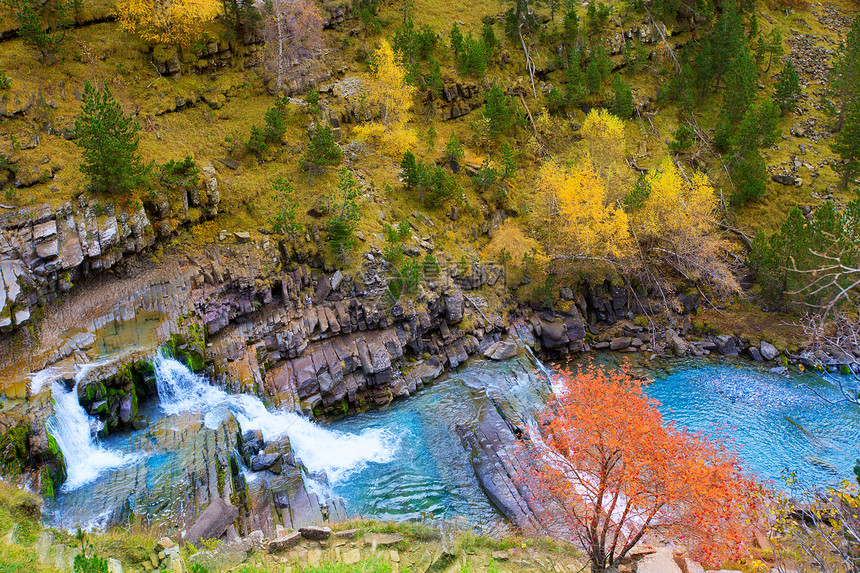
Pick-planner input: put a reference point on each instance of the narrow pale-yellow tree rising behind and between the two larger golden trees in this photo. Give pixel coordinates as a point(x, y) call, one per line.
point(605, 142)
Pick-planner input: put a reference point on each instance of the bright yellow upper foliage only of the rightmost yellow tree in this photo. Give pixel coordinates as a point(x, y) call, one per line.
point(676, 206)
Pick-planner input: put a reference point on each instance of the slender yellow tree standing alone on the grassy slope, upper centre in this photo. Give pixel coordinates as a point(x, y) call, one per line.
point(390, 98)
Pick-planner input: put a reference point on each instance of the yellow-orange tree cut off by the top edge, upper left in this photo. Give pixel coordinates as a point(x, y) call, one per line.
point(171, 22)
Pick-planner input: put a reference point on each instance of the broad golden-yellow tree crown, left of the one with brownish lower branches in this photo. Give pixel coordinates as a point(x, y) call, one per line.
point(589, 226)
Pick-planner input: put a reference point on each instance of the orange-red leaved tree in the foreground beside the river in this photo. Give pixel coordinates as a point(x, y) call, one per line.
point(612, 471)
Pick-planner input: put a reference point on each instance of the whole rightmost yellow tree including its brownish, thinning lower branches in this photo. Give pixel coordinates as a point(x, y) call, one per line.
point(677, 225)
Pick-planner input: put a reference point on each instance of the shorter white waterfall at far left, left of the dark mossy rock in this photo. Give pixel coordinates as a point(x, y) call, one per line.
point(74, 430)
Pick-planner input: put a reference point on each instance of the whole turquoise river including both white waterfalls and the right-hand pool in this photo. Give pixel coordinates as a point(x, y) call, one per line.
point(406, 461)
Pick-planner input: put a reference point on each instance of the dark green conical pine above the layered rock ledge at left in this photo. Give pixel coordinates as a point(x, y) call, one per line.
point(109, 141)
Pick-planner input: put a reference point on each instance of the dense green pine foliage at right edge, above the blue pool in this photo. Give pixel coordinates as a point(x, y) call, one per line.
point(781, 259)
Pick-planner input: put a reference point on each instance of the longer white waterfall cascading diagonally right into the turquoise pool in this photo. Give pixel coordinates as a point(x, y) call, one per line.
point(337, 454)
